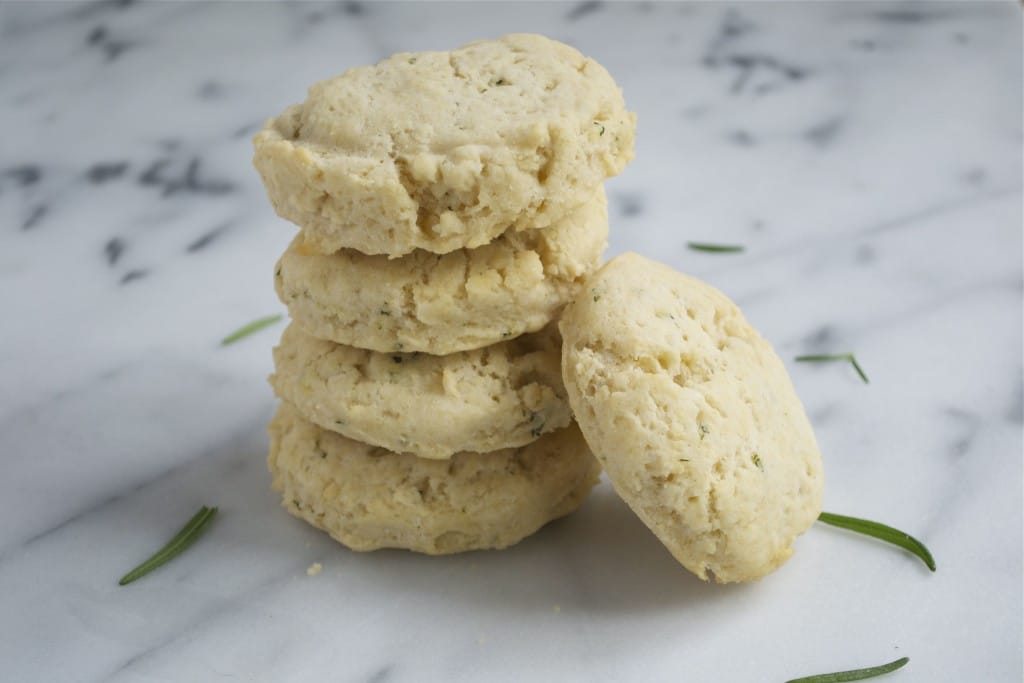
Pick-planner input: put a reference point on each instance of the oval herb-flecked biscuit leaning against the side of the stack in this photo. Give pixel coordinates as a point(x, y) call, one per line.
point(694, 417)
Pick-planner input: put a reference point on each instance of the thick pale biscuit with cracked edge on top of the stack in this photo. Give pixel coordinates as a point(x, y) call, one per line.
point(445, 151)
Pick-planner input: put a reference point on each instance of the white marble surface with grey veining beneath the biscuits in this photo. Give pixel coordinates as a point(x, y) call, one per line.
point(868, 156)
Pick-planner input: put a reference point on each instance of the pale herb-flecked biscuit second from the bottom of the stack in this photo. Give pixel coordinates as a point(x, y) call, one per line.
point(496, 398)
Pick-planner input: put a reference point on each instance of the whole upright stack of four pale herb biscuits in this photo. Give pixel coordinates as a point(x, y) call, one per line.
point(451, 205)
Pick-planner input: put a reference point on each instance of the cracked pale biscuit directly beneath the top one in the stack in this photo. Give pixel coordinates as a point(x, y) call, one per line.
point(444, 304)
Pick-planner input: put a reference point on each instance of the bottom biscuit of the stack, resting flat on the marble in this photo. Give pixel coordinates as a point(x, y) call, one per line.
point(369, 498)
